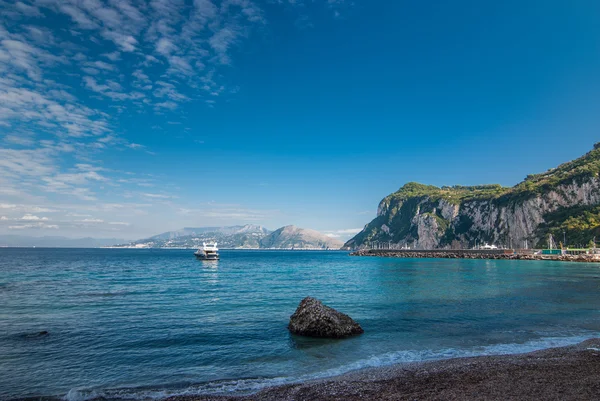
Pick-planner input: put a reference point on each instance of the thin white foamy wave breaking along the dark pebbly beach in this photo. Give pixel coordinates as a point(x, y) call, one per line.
point(253, 385)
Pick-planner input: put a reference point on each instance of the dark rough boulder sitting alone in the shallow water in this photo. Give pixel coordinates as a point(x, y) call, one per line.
point(313, 319)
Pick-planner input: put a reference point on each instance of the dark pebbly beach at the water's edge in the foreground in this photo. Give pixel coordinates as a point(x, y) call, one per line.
point(567, 373)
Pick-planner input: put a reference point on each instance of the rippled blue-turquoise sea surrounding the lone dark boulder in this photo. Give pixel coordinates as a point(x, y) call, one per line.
point(135, 324)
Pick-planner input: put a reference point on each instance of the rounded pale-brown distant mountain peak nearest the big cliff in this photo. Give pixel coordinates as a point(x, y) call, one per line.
point(292, 237)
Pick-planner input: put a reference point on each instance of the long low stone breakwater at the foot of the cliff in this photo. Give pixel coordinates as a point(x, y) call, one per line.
point(473, 254)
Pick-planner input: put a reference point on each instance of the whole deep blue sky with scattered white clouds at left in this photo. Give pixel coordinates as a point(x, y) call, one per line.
point(127, 118)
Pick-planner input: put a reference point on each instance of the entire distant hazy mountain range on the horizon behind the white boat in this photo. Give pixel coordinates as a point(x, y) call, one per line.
point(240, 237)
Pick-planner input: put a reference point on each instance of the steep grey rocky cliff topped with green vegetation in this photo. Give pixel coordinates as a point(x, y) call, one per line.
point(564, 202)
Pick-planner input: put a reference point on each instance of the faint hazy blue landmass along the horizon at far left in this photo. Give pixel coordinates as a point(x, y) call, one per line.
point(56, 242)
